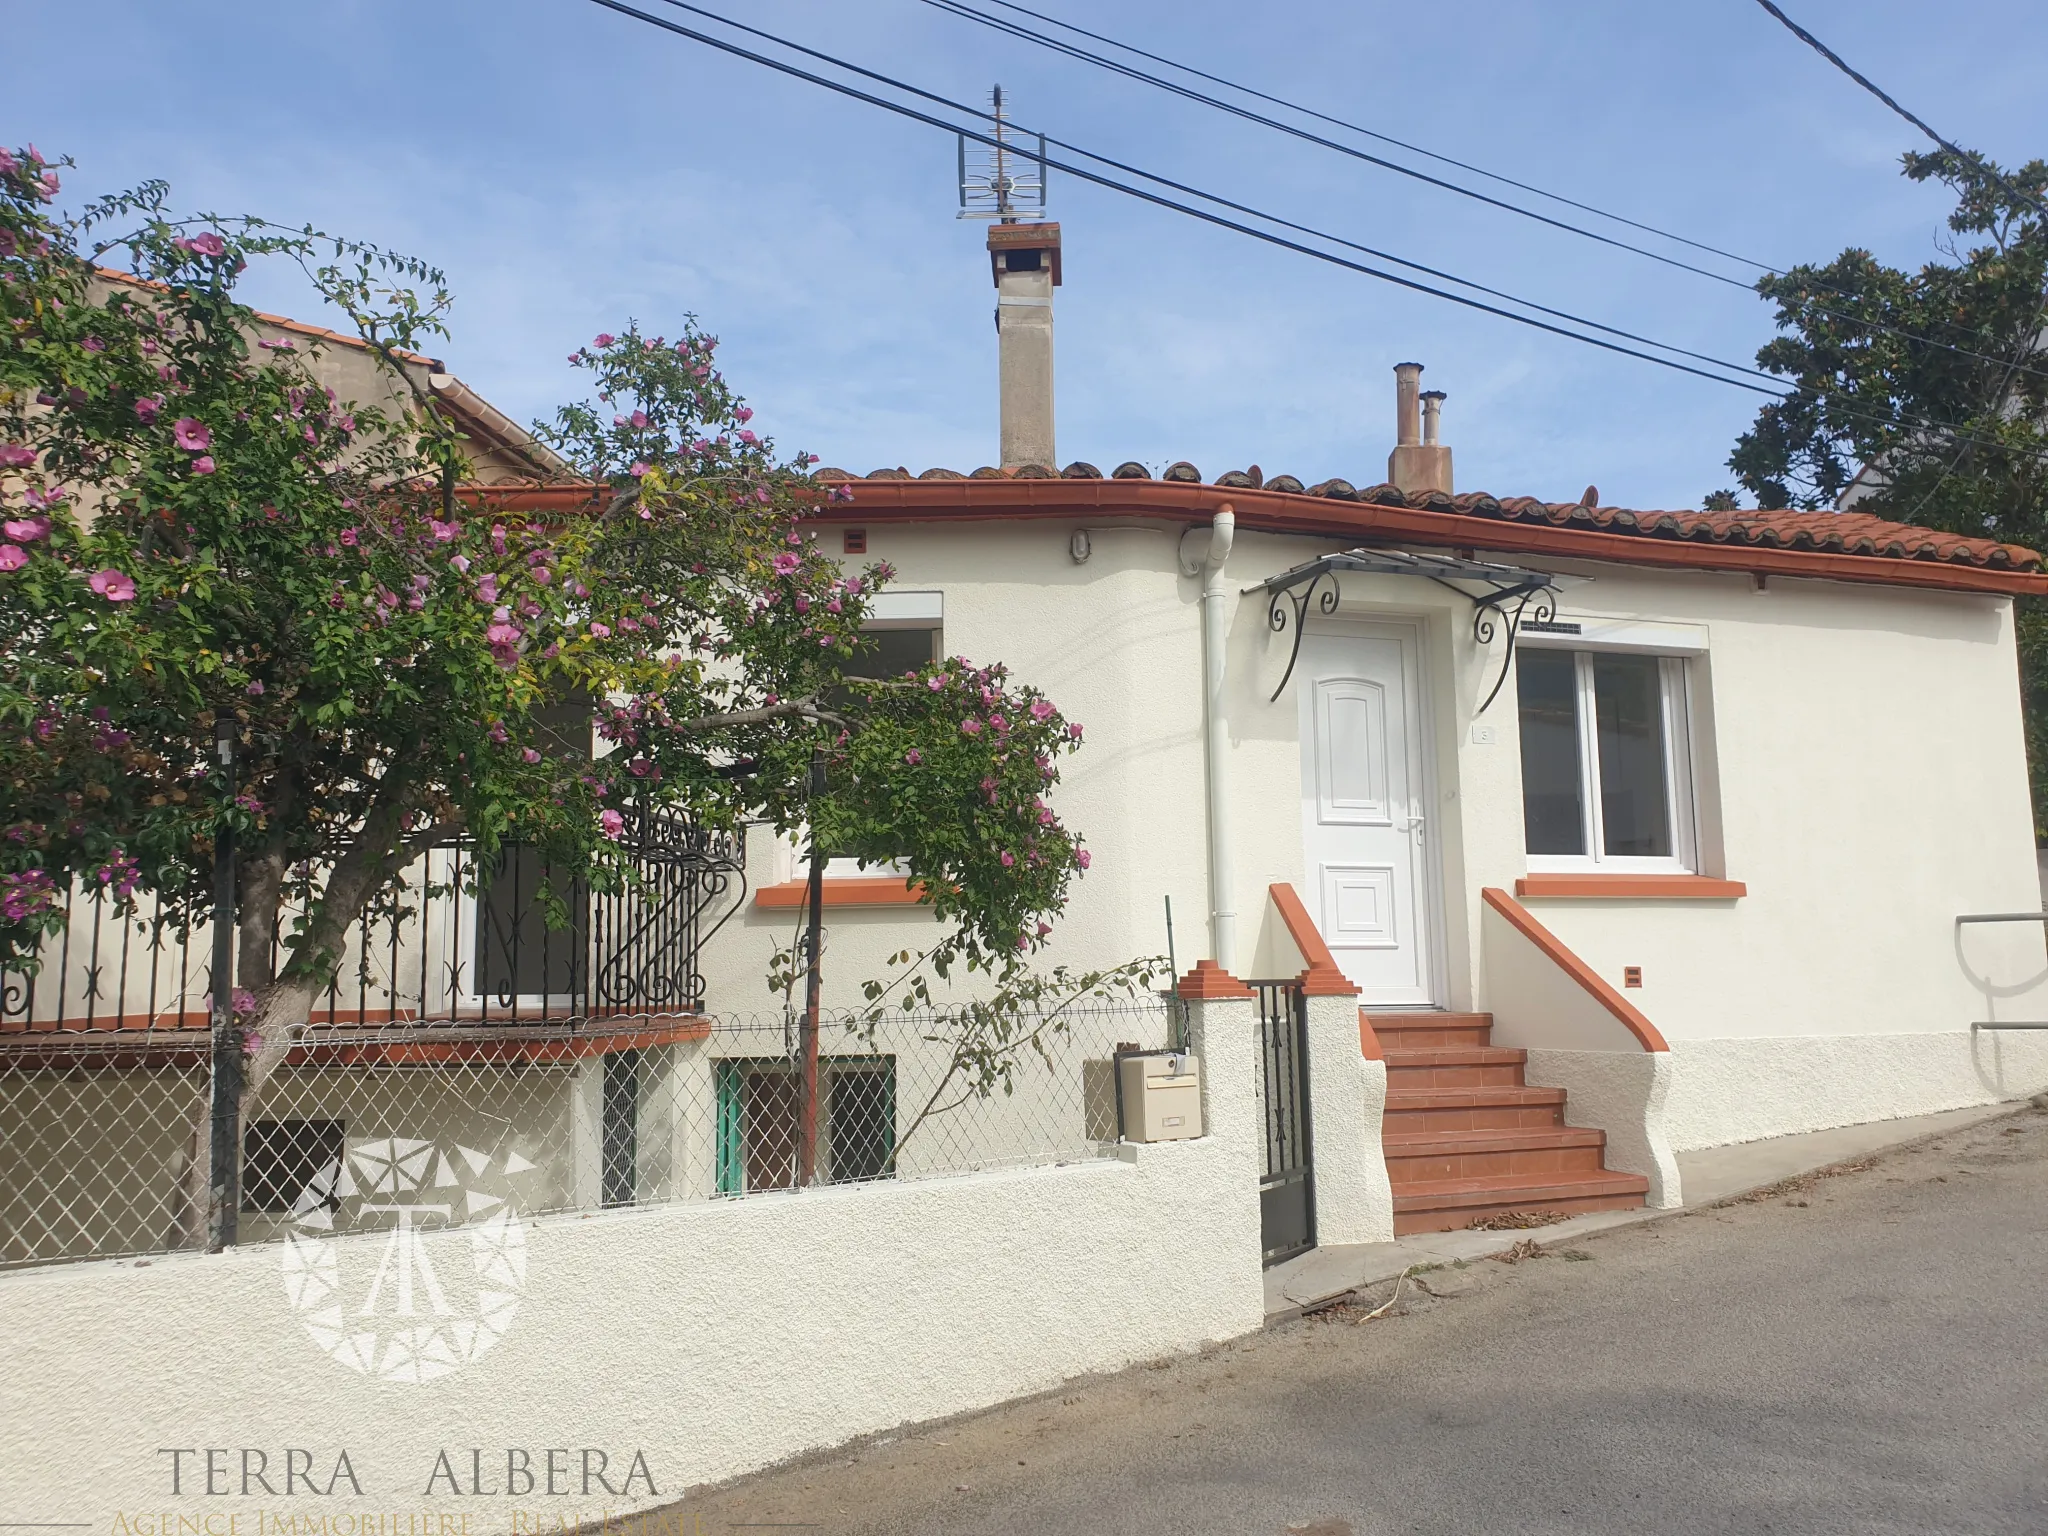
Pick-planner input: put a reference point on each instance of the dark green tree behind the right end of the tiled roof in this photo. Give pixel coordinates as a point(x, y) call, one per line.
point(1934, 384)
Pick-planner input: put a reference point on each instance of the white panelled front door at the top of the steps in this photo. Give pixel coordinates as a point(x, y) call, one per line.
point(1365, 810)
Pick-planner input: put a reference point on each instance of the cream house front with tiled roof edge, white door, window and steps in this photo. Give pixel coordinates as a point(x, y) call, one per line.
point(1697, 835)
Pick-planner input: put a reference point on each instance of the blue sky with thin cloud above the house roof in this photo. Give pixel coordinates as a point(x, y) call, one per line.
point(570, 169)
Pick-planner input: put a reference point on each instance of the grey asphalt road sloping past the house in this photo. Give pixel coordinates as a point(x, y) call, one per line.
point(1867, 1355)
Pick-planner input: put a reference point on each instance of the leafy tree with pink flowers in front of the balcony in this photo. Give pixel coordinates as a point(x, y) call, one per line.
point(200, 534)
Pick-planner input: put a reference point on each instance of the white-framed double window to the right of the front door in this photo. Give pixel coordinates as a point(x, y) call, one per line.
point(1607, 763)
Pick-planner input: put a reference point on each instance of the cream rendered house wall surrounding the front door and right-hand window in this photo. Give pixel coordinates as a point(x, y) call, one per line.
point(1859, 757)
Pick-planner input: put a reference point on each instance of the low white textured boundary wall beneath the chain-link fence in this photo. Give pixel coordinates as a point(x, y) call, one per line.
point(712, 1338)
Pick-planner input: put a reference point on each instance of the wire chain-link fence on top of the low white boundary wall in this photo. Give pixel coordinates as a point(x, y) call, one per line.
point(368, 1125)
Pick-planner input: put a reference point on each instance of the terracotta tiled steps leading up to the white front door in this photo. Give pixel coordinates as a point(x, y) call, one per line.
point(1467, 1138)
